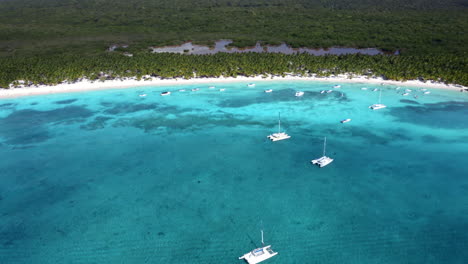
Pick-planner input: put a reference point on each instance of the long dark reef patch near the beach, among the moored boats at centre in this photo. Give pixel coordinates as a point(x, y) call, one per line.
point(284, 95)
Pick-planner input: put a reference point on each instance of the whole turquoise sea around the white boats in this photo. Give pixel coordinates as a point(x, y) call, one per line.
point(111, 177)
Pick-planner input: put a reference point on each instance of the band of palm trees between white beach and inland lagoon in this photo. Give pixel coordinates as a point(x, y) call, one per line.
point(59, 68)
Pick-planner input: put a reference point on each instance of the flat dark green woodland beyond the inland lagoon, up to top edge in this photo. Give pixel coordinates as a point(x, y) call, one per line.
point(90, 26)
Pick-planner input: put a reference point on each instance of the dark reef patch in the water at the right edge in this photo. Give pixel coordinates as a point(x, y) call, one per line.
point(450, 115)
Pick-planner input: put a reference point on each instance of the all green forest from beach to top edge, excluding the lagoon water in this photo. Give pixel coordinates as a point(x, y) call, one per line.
point(49, 41)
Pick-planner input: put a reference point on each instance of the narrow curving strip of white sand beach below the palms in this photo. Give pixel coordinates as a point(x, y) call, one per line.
point(87, 85)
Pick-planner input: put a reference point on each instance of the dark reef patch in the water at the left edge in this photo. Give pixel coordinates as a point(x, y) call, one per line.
point(29, 126)
